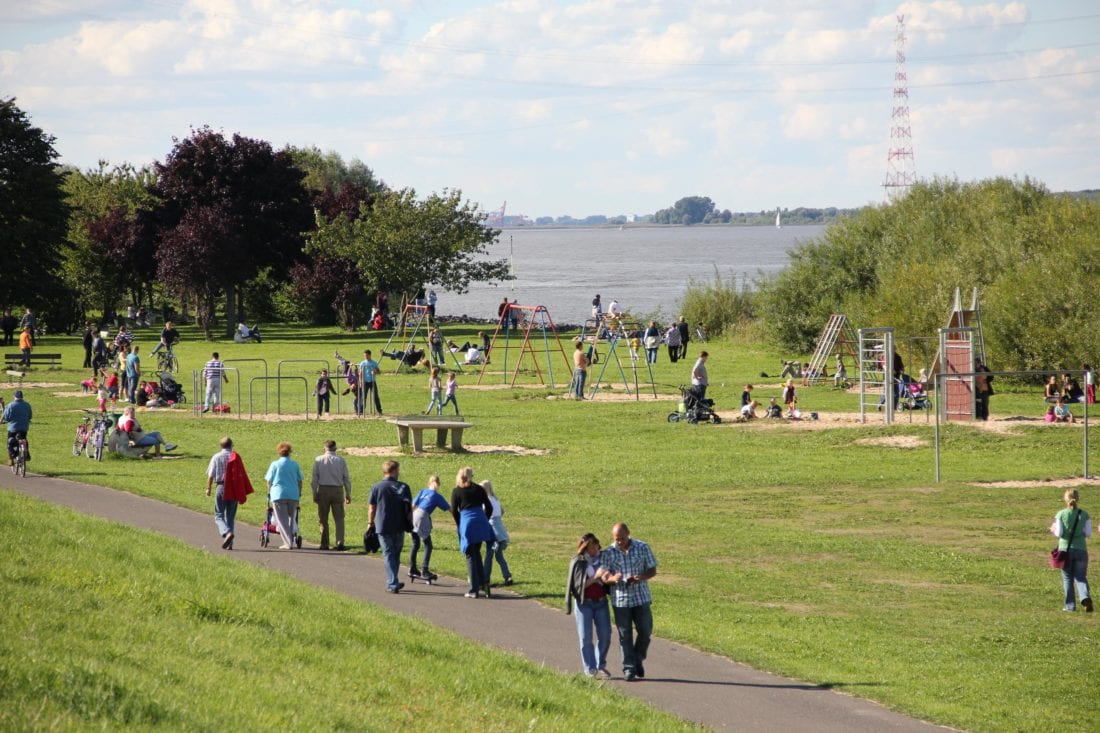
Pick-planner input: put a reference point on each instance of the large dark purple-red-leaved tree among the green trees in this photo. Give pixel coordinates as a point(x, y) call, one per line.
point(260, 201)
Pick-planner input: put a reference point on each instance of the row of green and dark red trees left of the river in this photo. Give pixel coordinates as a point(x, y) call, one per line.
point(224, 227)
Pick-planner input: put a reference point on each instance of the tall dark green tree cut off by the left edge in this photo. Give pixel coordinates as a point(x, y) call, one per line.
point(32, 215)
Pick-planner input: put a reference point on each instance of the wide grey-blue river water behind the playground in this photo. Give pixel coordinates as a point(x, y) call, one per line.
point(646, 269)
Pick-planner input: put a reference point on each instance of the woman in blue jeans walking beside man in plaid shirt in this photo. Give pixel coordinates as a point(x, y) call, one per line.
point(587, 598)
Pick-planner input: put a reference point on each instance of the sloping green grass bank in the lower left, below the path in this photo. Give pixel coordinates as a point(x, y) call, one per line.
point(118, 629)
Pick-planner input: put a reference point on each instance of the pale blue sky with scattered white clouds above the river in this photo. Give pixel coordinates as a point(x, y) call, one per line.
point(614, 107)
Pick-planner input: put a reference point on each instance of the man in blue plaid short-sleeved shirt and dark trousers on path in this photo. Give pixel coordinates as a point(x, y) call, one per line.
point(630, 565)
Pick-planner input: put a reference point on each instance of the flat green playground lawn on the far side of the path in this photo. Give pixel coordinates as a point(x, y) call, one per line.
point(805, 553)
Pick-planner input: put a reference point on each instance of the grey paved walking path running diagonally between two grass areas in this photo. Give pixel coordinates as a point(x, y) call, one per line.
point(697, 686)
